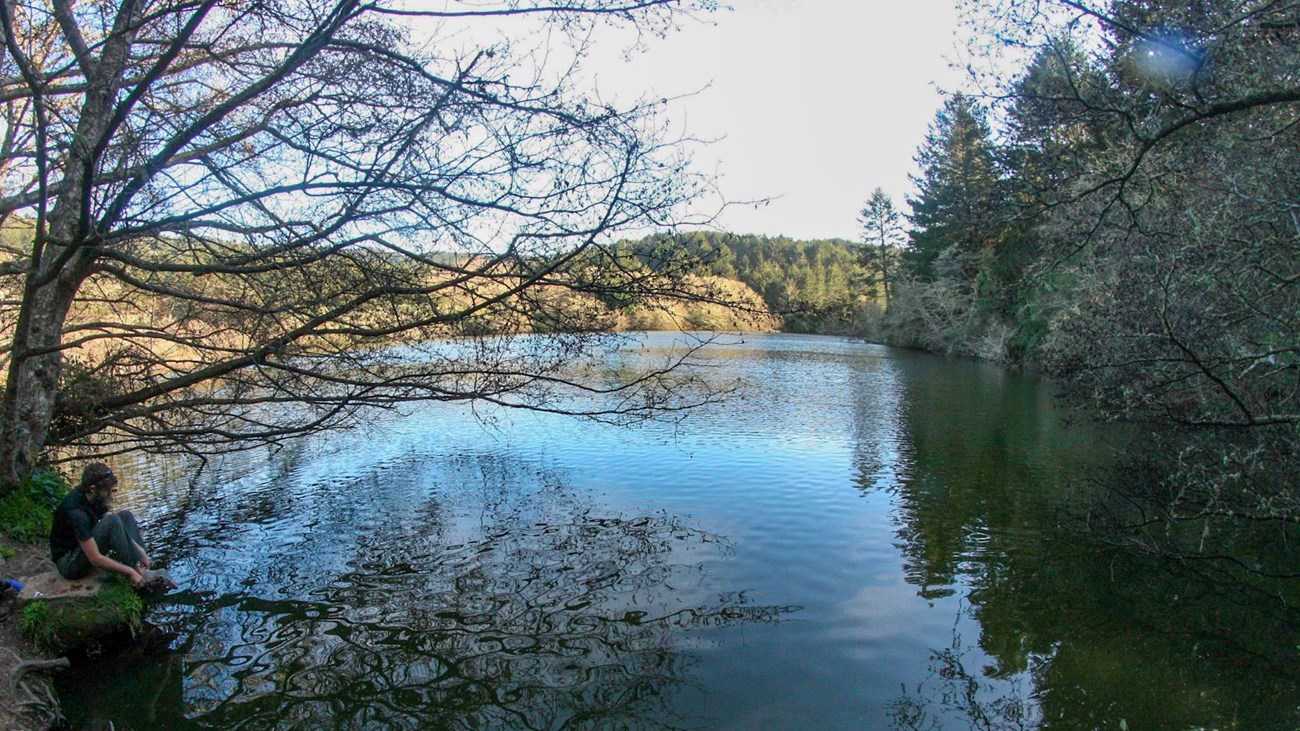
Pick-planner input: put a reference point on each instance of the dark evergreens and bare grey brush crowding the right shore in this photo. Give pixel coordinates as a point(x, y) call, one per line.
point(1123, 211)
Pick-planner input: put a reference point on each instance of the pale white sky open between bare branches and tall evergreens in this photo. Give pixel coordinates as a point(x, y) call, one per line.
point(817, 102)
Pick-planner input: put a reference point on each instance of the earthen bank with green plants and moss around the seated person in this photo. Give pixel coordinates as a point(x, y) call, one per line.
point(44, 617)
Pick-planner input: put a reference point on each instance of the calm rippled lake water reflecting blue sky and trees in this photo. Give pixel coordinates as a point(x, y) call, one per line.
point(865, 539)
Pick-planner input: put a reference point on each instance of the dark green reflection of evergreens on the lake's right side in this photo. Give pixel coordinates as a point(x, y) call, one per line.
point(1071, 633)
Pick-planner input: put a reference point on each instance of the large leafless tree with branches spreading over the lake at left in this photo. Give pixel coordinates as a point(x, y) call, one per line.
point(228, 220)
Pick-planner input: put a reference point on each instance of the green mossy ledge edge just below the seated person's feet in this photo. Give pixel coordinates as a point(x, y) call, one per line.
point(59, 625)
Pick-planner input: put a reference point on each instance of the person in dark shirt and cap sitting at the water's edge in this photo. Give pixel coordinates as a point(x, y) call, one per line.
point(86, 535)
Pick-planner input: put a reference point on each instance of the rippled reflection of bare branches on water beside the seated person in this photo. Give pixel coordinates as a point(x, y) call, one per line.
point(500, 599)
